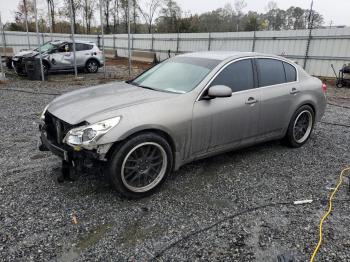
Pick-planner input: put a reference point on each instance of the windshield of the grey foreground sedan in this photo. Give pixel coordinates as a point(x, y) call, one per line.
point(177, 75)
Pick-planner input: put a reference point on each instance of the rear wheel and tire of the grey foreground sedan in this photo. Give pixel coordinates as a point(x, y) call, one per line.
point(300, 127)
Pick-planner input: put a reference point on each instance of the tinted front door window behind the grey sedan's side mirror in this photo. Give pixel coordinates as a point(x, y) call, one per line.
point(238, 76)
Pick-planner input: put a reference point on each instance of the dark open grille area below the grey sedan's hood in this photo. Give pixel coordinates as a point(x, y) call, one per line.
point(56, 129)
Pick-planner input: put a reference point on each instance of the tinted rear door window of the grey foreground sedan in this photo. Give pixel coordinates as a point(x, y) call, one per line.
point(271, 72)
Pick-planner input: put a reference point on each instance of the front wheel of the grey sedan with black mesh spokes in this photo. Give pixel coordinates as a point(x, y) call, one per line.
point(140, 165)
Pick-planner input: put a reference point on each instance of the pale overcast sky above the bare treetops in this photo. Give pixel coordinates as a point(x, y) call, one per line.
point(332, 10)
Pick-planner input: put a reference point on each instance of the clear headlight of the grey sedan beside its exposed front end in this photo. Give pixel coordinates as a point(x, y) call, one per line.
point(85, 135)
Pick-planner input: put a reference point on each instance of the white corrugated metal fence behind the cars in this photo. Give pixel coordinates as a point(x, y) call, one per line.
point(315, 51)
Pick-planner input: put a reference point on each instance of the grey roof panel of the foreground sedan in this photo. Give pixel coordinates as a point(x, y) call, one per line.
point(223, 55)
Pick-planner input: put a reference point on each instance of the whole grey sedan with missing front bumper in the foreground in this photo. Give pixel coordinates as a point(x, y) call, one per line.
point(189, 107)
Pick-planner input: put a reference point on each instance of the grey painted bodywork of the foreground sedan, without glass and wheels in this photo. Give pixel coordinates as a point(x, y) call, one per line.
point(196, 128)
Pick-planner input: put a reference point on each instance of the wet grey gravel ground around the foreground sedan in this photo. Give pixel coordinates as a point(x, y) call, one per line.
point(36, 212)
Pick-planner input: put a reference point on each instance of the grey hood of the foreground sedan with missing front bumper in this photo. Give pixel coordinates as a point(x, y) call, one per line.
point(83, 104)
